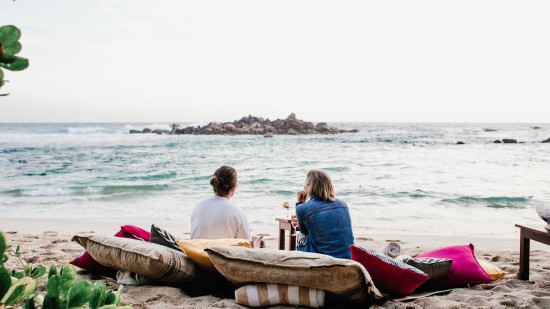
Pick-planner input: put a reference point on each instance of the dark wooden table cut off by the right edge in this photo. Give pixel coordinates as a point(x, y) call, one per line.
point(525, 235)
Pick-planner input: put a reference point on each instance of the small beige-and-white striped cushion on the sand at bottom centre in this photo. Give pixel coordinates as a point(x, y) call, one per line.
point(267, 294)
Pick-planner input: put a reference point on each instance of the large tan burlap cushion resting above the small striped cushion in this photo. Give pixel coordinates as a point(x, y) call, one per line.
point(345, 279)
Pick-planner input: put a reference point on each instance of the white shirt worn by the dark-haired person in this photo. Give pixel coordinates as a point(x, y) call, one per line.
point(217, 218)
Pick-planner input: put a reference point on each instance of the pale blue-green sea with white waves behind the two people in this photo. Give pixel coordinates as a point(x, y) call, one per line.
point(399, 178)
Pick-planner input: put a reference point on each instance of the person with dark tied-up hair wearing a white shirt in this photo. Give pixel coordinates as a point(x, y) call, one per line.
point(216, 217)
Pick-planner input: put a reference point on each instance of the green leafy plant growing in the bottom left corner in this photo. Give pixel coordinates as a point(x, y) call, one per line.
point(18, 289)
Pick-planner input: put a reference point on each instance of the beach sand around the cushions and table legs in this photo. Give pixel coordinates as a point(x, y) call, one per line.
point(51, 242)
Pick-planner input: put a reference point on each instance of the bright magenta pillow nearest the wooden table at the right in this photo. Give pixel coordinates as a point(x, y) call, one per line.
point(464, 270)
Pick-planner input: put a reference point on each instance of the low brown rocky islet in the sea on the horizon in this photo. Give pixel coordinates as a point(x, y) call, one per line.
point(256, 126)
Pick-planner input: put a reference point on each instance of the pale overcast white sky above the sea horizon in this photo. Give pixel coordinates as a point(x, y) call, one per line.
point(356, 61)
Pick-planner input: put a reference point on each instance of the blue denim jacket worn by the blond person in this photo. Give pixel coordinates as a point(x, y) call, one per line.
point(327, 227)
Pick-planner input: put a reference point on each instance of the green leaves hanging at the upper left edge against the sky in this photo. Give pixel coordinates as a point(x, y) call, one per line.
point(9, 47)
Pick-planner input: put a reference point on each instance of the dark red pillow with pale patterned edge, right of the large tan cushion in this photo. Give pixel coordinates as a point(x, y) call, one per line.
point(388, 275)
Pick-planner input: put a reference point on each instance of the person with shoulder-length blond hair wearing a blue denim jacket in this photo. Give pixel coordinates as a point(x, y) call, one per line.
point(324, 220)
